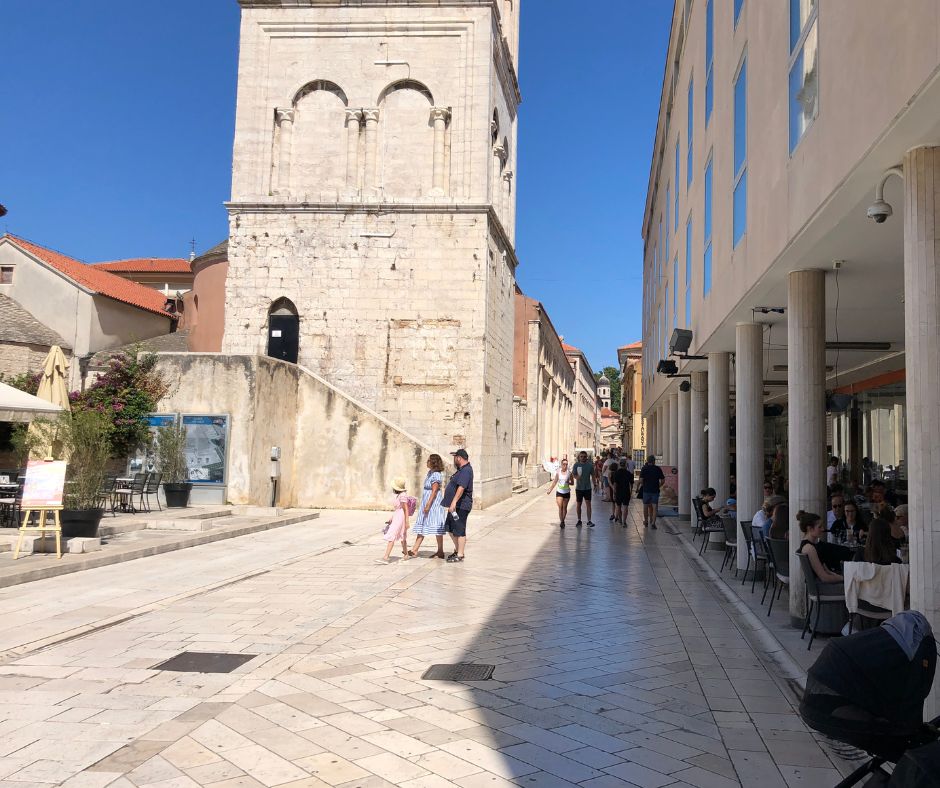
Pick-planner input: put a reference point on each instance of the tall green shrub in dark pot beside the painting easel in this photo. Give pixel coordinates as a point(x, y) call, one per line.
point(85, 438)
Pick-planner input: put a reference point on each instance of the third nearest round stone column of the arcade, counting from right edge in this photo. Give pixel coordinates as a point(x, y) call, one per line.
point(749, 422)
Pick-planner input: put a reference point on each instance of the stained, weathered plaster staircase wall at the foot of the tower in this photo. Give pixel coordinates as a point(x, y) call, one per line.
point(335, 452)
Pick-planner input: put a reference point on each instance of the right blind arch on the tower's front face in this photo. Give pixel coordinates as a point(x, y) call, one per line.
point(407, 149)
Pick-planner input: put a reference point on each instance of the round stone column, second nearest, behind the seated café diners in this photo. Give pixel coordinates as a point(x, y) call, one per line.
point(806, 410)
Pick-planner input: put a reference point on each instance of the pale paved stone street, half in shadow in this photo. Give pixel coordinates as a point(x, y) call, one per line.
point(616, 665)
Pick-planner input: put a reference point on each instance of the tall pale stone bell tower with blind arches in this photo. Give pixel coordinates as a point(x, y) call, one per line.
point(372, 218)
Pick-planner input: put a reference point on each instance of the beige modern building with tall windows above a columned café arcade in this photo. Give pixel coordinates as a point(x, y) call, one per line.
point(758, 243)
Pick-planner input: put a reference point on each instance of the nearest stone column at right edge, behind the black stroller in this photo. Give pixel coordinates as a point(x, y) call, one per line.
point(921, 340)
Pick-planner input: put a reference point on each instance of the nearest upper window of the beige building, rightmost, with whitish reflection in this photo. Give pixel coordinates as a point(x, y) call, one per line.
point(804, 70)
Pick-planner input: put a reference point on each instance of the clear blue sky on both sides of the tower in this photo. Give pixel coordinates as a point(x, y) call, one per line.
point(117, 122)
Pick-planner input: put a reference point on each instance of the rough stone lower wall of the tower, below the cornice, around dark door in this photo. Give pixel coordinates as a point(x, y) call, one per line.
point(411, 314)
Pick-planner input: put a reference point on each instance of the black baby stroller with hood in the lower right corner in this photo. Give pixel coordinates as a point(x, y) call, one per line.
point(868, 690)
